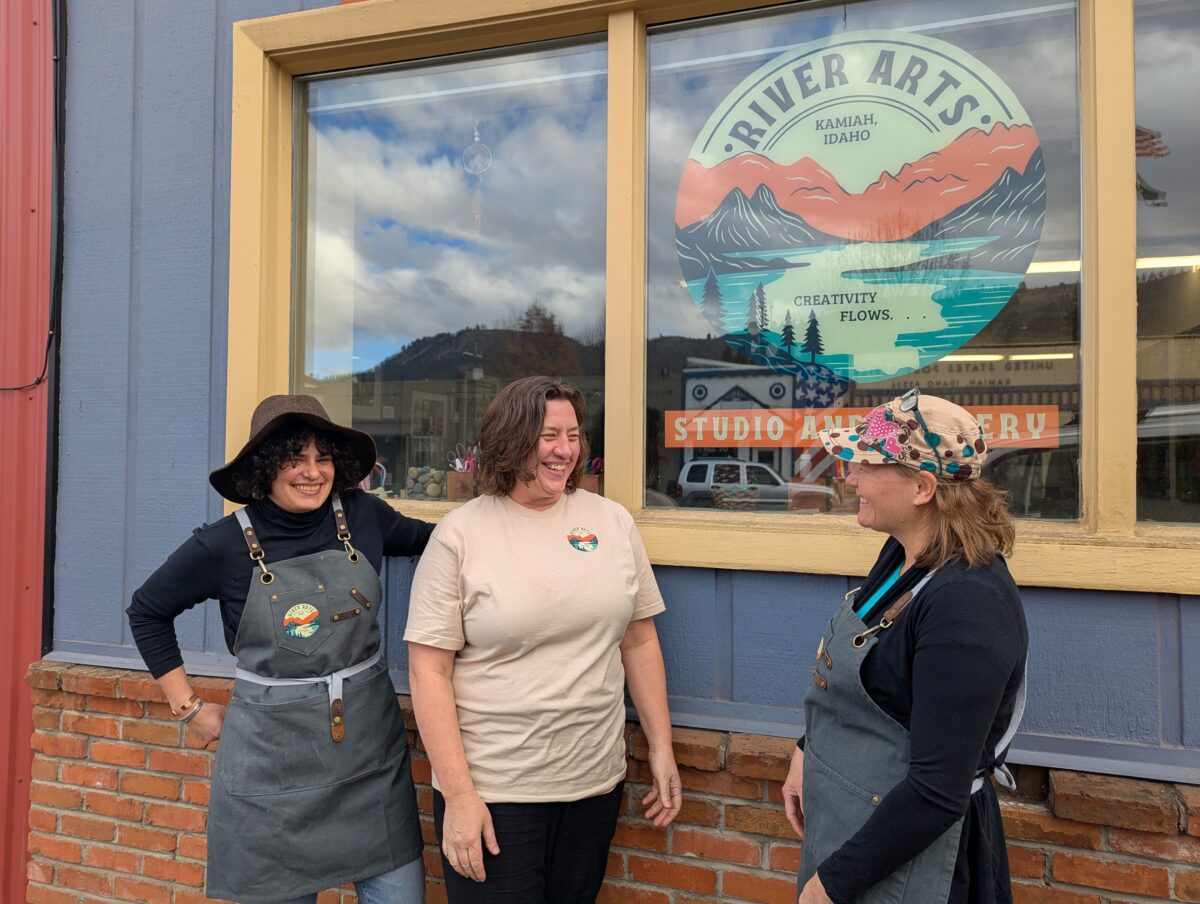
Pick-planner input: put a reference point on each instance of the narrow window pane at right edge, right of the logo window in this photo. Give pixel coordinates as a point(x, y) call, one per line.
point(1167, 47)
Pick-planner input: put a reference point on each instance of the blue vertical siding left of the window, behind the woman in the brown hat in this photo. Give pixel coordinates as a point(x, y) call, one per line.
point(145, 312)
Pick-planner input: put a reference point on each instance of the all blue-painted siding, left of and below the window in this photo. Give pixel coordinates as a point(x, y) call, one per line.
point(1114, 678)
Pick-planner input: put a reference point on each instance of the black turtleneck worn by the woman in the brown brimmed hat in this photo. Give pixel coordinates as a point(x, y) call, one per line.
point(213, 564)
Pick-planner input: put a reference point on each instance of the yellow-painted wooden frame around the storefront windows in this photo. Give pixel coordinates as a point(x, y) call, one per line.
point(1106, 549)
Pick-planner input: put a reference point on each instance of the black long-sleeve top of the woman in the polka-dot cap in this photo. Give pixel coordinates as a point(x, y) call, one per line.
point(949, 670)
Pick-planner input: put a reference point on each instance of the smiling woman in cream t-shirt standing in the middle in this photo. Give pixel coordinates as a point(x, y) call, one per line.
point(531, 612)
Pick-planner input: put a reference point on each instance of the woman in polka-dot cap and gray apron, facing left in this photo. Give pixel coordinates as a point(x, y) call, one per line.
point(920, 680)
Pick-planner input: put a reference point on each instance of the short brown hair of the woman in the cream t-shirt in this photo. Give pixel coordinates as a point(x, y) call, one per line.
point(511, 430)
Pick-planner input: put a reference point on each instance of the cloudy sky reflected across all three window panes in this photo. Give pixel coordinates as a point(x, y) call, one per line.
point(393, 250)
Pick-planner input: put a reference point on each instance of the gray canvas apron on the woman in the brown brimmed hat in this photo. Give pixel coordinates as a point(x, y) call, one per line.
point(313, 786)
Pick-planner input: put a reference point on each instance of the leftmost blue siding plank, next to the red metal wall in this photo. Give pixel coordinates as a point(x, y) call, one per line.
point(94, 392)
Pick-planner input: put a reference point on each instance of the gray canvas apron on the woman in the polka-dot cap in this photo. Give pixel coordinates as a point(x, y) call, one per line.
point(855, 755)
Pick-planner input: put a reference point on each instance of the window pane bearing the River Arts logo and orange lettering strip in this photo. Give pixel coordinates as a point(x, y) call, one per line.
point(850, 201)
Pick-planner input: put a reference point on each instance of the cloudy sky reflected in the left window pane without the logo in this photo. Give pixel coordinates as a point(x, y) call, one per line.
point(404, 242)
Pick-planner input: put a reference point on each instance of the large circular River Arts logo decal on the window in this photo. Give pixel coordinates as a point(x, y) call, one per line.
point(861, 206)
